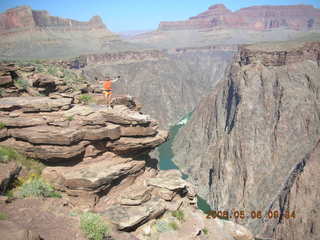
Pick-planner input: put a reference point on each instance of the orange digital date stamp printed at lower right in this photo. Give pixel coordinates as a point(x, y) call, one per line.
point(241, 214)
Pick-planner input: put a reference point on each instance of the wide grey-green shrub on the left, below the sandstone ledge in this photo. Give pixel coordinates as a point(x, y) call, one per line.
point(36, 187)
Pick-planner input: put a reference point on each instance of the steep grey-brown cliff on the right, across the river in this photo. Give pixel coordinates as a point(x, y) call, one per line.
point(252, 145)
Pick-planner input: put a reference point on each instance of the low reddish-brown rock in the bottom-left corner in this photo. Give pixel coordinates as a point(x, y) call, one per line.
point(11, 231)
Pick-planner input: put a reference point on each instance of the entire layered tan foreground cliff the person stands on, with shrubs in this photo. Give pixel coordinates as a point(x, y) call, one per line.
point(93, 159)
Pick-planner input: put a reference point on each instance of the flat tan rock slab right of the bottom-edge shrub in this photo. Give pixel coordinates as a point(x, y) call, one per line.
point(128, 218)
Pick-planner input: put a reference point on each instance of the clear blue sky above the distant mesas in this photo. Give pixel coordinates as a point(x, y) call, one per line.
point(124, 15)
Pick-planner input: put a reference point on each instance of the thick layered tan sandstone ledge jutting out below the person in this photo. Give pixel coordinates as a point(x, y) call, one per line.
point(45, 129)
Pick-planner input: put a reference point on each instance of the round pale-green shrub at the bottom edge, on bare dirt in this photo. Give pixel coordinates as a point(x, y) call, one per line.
point(93, 226)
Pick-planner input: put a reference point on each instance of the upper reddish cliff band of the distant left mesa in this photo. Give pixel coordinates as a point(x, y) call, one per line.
point(23, 18)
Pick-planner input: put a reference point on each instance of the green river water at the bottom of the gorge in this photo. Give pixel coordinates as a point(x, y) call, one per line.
point(166, 156)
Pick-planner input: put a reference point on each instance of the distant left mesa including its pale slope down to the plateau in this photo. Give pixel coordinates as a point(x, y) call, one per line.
point(32, 34)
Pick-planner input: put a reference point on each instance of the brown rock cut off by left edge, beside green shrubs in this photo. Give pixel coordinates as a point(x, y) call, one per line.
point(8, 173)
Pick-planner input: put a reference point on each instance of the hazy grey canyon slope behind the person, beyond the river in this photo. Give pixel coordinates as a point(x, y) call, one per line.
point(169, 84)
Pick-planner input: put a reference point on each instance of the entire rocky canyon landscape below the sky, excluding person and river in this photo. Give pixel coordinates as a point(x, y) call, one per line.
point(249, 79)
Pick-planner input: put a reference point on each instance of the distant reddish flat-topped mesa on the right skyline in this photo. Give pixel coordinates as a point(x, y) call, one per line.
point(296, 17)
